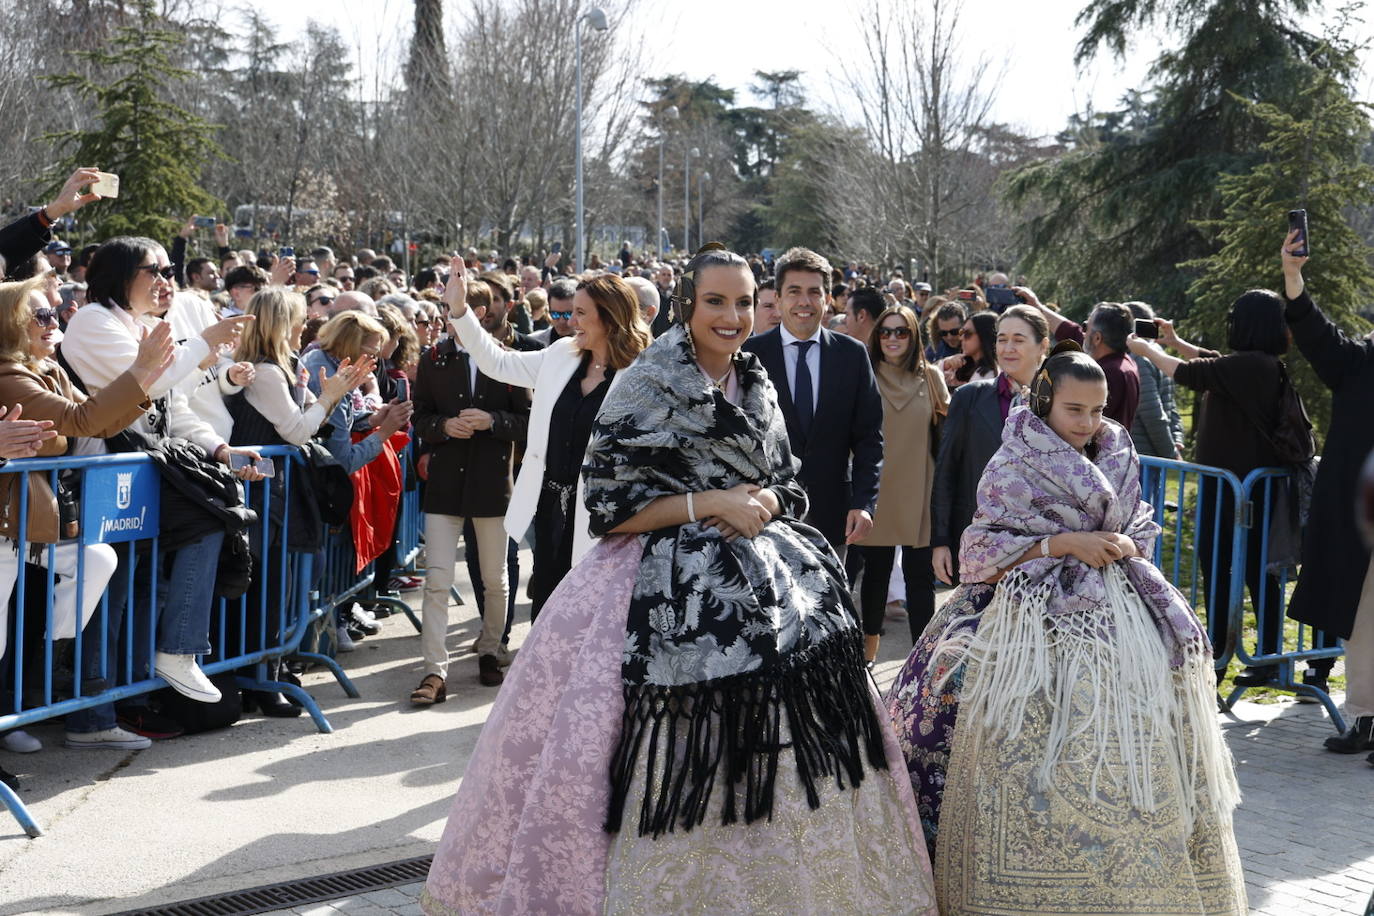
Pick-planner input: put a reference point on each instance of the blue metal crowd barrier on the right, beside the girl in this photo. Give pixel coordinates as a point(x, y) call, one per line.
point(1215, 546)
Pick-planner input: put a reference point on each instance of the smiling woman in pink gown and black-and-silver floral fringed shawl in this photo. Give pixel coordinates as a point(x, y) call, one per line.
point(690, 727)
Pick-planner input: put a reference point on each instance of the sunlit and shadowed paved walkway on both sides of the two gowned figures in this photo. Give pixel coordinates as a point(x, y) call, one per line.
point(273, 800)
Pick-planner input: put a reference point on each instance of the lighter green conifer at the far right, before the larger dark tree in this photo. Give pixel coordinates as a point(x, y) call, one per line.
point(1313, 159)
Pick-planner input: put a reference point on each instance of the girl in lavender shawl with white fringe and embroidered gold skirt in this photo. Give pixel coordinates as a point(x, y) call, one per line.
point(1059, 715)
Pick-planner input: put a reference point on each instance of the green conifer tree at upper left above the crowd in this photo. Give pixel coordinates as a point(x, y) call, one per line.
point(157, 149)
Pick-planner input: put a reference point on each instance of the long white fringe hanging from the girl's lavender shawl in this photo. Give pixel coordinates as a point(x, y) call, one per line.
point(1136, 701)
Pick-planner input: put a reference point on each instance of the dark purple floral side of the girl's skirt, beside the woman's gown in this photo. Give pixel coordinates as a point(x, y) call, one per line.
point(925, 718)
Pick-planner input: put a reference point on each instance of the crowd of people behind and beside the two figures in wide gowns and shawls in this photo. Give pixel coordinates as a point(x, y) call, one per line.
point(894, 395)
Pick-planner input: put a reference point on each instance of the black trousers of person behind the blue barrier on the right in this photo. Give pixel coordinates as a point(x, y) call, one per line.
point(1219, 517)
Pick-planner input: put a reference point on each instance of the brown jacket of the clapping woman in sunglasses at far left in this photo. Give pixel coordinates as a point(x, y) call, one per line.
point(46, 393)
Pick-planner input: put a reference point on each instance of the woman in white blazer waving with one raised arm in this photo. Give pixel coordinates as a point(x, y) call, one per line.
point(571, 380)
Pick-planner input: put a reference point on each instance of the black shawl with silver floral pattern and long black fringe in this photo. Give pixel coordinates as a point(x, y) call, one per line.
point(734, 653)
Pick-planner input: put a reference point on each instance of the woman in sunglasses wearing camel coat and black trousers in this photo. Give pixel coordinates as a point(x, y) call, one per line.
point(914, 402)
